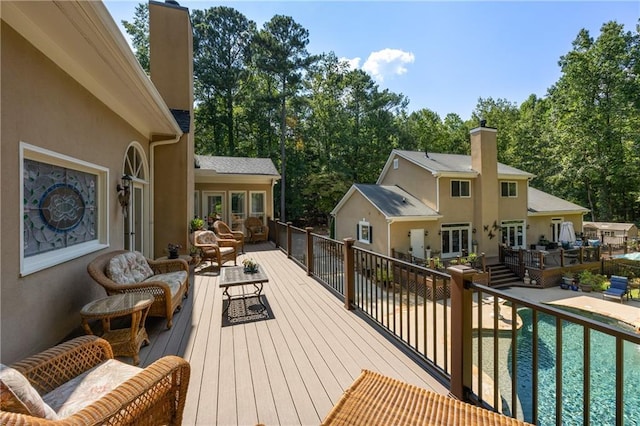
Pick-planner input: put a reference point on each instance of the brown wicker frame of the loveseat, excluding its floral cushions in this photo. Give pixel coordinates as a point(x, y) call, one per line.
point(165, 303)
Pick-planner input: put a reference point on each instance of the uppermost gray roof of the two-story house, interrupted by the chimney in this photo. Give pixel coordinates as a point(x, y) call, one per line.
point(452, 163)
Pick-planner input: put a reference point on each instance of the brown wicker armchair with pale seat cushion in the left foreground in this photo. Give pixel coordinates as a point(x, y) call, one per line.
point(151, 396)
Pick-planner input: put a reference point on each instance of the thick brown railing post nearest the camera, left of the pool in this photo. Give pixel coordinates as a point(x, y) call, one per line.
point(461, 336)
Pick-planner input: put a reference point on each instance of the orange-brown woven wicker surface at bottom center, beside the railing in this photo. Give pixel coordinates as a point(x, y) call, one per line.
point(376, 399)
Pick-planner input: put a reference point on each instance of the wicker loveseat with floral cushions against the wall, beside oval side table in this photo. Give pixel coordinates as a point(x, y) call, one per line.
point(123, 271)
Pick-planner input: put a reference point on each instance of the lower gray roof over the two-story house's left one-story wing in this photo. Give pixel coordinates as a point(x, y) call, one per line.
point(393, 201)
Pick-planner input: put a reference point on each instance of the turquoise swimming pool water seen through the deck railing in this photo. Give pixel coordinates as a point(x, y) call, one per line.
point(602, 393)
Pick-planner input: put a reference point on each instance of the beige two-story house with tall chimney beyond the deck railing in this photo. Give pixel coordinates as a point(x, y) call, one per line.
point(449, 204)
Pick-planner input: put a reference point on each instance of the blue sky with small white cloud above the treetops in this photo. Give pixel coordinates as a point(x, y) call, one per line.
point(441, 55)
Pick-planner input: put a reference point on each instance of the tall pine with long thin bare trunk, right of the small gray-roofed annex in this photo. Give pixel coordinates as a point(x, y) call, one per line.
point(281, 50)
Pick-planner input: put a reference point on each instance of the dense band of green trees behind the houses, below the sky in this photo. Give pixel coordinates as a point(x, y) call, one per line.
point(326, 126)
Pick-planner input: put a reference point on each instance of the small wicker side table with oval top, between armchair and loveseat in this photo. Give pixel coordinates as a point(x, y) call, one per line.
point(124, 341)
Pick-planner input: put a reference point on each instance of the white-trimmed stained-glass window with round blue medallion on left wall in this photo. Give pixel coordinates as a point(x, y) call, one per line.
point(63, 208)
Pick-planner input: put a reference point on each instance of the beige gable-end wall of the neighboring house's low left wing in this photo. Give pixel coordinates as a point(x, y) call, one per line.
point(356, 209)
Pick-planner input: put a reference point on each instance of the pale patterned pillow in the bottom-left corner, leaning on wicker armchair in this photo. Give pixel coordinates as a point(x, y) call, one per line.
point(18, 396)
